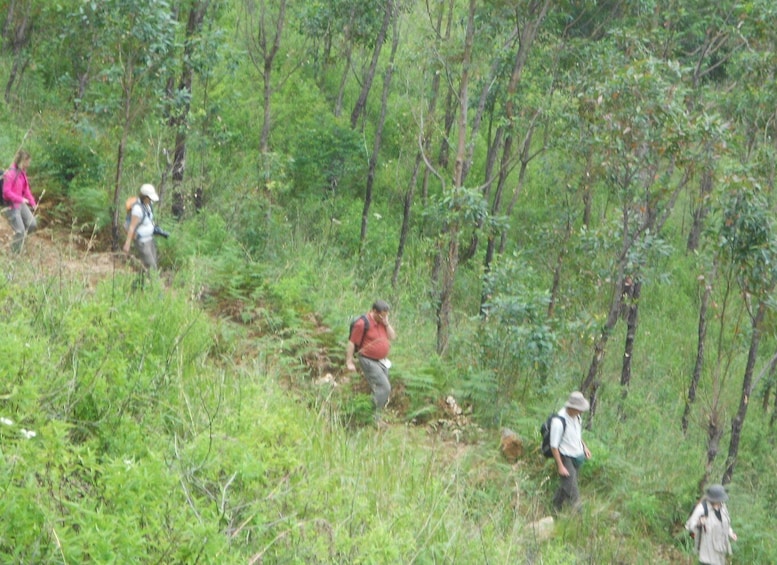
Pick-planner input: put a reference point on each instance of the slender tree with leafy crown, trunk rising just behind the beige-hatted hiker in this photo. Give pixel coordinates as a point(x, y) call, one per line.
point(643, 152)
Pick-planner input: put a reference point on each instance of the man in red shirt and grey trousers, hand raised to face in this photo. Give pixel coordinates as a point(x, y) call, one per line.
point(371, 336)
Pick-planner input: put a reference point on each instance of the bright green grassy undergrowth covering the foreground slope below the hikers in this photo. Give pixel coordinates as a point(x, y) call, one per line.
point(142, 427)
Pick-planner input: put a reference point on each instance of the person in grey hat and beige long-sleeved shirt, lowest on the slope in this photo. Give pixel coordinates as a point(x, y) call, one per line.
point(711, 527)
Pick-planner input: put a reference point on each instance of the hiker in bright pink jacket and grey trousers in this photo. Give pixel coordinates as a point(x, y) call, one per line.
point(19, 199)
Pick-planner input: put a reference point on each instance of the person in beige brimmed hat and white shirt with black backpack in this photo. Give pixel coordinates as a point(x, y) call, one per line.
point(568, 448)
